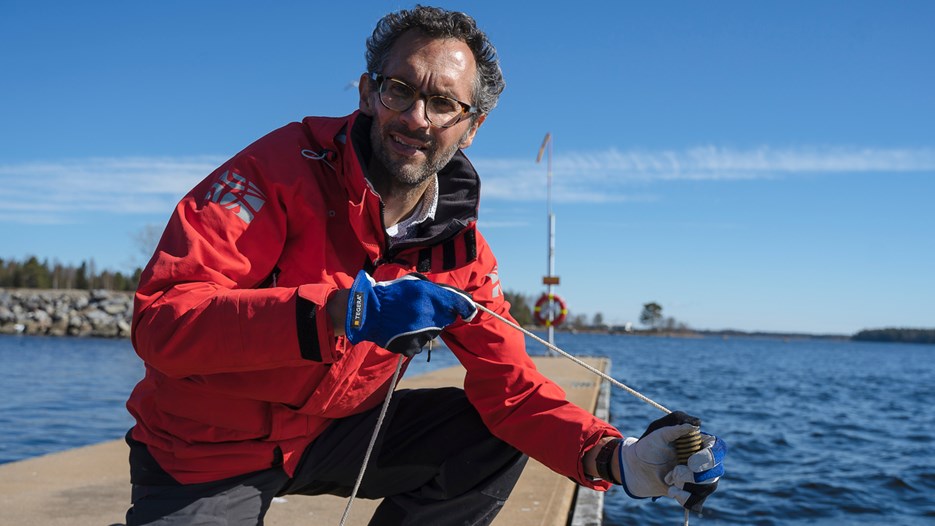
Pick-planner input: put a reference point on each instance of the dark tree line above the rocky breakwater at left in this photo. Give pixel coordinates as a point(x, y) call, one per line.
point(34, 274)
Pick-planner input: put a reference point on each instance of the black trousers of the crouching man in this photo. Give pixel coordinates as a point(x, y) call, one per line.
point(434, 462)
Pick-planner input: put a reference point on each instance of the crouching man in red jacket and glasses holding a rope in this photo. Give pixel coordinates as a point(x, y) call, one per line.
point(285, 291)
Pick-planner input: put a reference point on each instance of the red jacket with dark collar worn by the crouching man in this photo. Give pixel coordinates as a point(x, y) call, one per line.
point(243, 369)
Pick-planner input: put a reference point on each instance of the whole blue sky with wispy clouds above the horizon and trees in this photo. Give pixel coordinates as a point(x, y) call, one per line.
point(748, 165)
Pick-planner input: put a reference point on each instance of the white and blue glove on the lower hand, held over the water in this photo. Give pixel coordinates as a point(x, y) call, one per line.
point(649, 467)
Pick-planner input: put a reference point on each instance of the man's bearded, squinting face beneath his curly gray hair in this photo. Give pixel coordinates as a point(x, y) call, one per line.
point(405, 143)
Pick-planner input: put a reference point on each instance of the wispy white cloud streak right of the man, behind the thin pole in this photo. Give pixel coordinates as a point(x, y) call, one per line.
point(615, 175)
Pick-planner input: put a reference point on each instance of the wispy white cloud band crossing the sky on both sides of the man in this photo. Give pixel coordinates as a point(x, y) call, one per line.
point(55, 191)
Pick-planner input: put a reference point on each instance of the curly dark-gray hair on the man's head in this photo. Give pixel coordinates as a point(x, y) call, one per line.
point(439, 23)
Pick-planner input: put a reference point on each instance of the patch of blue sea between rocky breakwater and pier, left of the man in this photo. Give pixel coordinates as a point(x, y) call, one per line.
point(60, 393)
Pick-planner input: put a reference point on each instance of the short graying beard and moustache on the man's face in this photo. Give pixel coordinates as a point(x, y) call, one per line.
point(409, 172)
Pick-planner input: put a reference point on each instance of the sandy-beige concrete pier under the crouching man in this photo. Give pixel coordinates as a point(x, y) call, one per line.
point(90, 486)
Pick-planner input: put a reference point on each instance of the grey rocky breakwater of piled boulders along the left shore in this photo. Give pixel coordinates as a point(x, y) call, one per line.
point(101, 313)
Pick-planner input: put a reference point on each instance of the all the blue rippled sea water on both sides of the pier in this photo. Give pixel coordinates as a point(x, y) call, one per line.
point(820, 431)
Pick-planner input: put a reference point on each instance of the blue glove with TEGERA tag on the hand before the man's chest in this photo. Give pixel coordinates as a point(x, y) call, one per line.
point(404, 314)
